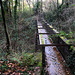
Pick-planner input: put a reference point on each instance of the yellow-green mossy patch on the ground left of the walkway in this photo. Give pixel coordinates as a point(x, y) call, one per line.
point(32, 59)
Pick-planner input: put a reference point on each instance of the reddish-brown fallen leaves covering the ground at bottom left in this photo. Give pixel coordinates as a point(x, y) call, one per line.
point(15, 68)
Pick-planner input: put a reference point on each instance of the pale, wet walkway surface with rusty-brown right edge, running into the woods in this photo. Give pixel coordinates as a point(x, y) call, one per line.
point(54, 61)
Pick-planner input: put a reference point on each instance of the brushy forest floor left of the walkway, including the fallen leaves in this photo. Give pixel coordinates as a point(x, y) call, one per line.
point(22, 60)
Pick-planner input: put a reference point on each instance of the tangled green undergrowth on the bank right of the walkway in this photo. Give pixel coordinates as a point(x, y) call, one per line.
point(62, 19)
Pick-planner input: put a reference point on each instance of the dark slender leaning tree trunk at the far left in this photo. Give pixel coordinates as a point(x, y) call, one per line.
point(5, 28)
